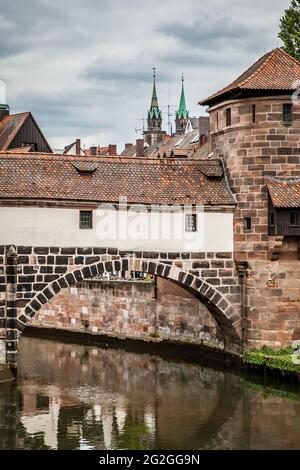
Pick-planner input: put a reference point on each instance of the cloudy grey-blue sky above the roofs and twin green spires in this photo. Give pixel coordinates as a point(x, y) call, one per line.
point(84, 68)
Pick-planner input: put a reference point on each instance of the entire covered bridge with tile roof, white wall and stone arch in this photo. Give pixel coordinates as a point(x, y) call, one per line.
point(68, 219)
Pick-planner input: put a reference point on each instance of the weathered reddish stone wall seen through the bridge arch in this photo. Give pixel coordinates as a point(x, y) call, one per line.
point(130, 310)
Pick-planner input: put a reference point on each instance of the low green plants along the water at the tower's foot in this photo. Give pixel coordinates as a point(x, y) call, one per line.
point(280, 359)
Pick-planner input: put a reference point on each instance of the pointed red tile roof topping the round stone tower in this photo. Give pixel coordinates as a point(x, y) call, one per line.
point(276, 70)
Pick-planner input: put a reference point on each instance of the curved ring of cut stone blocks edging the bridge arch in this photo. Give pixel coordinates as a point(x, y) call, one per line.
point(222, 311)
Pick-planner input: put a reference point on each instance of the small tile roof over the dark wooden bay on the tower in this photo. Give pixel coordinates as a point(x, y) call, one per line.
point(284, 192)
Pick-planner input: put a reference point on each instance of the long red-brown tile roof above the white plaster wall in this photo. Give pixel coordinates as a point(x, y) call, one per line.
point(105, 179)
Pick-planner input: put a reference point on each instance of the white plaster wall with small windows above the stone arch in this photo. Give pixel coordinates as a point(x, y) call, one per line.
point(132, 230)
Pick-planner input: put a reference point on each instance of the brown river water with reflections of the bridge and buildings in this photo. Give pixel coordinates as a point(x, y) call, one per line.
point(77, 397)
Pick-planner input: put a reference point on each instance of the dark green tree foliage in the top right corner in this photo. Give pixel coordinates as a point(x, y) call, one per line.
point(290, 29)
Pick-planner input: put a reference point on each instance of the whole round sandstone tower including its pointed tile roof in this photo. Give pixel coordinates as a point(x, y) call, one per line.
point(255, 129)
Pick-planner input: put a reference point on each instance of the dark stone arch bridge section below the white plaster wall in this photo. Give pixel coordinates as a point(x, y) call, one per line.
point(31, 276)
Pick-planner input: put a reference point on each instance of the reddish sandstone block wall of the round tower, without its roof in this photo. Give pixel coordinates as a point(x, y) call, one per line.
point(251, 151)
